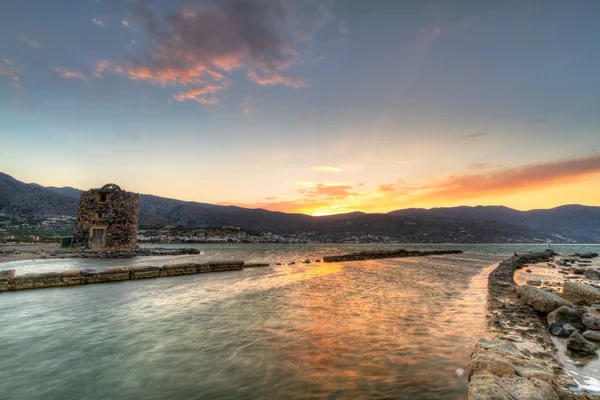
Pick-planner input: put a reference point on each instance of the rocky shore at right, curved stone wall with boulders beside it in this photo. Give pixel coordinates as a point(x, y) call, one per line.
point(519, 359)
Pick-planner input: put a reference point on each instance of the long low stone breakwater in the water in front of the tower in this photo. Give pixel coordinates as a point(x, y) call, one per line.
point(9, 281)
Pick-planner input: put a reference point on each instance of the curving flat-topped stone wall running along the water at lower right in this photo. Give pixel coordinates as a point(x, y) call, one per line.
point(519, 359)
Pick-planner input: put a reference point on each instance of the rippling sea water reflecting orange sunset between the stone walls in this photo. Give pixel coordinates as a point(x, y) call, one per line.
point(382, 329)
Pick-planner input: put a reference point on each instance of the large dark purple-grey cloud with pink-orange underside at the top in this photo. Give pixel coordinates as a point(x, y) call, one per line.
point(199, 46)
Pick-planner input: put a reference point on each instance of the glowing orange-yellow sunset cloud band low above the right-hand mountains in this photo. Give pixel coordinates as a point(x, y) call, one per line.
point(327, 198)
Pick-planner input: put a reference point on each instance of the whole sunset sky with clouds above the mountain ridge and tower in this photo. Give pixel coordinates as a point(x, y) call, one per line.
point(317, 107)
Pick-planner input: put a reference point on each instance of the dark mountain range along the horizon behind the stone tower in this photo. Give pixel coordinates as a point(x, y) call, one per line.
point(463, 224)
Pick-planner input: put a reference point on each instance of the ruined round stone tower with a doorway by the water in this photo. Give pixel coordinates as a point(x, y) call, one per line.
point(107, 218)
